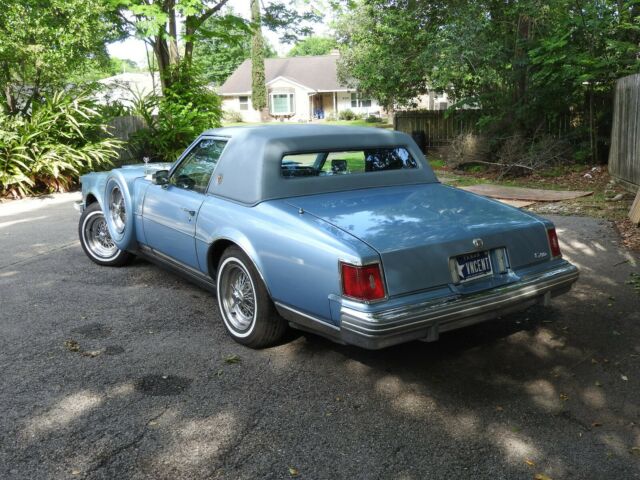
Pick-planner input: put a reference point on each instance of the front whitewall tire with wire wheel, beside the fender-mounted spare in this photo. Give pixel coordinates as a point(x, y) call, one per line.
point(96, 240)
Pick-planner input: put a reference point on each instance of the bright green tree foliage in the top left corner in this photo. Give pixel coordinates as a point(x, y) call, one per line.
point(46, 43)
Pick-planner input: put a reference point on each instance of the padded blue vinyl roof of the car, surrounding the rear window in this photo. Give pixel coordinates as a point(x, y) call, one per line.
point(249, 170)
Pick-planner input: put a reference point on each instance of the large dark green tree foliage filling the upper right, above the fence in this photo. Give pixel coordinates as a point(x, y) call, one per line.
point(521, 62)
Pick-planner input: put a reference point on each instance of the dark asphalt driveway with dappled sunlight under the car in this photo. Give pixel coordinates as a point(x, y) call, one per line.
point(128, 373)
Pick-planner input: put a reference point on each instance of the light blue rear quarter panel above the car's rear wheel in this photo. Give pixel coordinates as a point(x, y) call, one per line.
point(296, 253)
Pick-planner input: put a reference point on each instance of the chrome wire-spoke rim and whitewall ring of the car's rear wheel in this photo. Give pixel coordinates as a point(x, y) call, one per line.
point(238, 296)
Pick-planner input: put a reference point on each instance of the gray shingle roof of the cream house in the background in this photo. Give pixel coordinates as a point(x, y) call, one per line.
point(315, 72)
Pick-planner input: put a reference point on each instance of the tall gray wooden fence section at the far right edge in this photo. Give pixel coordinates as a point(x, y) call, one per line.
point(624, 154)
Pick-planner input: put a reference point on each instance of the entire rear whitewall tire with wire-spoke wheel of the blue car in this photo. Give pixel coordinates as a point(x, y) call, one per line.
point(244, 304)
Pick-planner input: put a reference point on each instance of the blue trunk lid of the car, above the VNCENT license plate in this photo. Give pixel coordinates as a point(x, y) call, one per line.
point(417, 228)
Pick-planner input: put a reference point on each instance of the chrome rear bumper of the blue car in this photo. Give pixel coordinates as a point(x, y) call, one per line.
point(386, 327)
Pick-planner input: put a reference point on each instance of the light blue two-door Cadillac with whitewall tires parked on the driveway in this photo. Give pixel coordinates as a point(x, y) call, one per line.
point(341, 231)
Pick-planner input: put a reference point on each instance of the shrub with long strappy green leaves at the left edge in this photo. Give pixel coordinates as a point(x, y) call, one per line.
point(64, 137)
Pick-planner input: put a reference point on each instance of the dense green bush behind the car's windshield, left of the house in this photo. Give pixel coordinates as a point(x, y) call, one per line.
point(175, 119)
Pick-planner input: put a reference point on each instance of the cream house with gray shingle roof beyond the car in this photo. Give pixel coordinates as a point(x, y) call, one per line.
point(299, 89)
